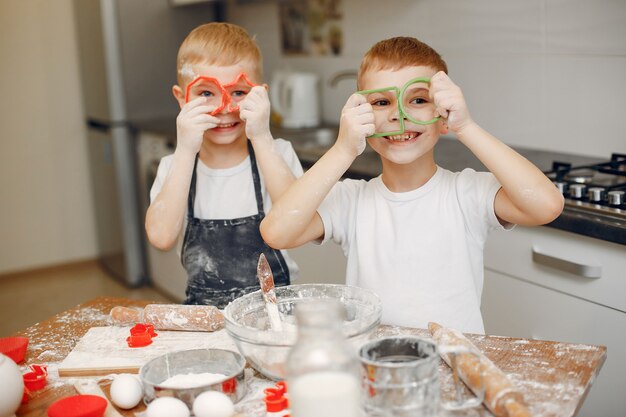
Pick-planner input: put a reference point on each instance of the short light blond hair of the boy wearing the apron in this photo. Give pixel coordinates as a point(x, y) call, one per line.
point(217, 43)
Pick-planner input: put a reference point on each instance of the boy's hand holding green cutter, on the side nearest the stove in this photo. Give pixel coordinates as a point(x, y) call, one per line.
point(448, 99)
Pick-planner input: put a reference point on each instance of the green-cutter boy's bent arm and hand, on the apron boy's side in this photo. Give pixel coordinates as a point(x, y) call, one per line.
point(293, 219)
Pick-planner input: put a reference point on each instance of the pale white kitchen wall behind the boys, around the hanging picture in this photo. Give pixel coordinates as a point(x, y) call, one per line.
point(546, 74)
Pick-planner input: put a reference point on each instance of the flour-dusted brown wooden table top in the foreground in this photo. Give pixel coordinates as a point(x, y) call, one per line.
point(554, 377)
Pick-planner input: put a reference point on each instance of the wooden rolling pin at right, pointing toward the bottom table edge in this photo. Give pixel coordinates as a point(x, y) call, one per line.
point(501, 396)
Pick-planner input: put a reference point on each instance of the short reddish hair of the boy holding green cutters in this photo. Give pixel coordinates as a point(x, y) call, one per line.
point(400, 52)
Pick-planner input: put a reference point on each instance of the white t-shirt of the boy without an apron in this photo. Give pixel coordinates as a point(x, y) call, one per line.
point(421, 251)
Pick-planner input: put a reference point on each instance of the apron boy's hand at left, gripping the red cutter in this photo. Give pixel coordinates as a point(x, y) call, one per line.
point(192, 121)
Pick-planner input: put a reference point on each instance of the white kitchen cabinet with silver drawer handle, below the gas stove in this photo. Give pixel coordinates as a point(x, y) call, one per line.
point(524, 297)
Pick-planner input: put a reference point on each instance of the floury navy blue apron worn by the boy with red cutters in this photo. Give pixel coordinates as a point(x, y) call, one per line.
point(220, 256)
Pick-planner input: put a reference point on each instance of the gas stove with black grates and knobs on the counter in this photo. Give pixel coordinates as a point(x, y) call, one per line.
point(598, 188)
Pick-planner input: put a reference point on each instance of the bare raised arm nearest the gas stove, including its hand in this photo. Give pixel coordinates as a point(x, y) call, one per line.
point(527, 196)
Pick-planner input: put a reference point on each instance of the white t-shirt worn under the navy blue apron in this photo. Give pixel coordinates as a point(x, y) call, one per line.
point(229, 193)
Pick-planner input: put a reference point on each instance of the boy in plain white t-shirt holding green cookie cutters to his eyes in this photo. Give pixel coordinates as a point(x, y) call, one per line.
point(414, 234)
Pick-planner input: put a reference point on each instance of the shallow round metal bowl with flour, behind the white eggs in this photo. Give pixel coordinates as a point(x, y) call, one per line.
point(195, 361)
